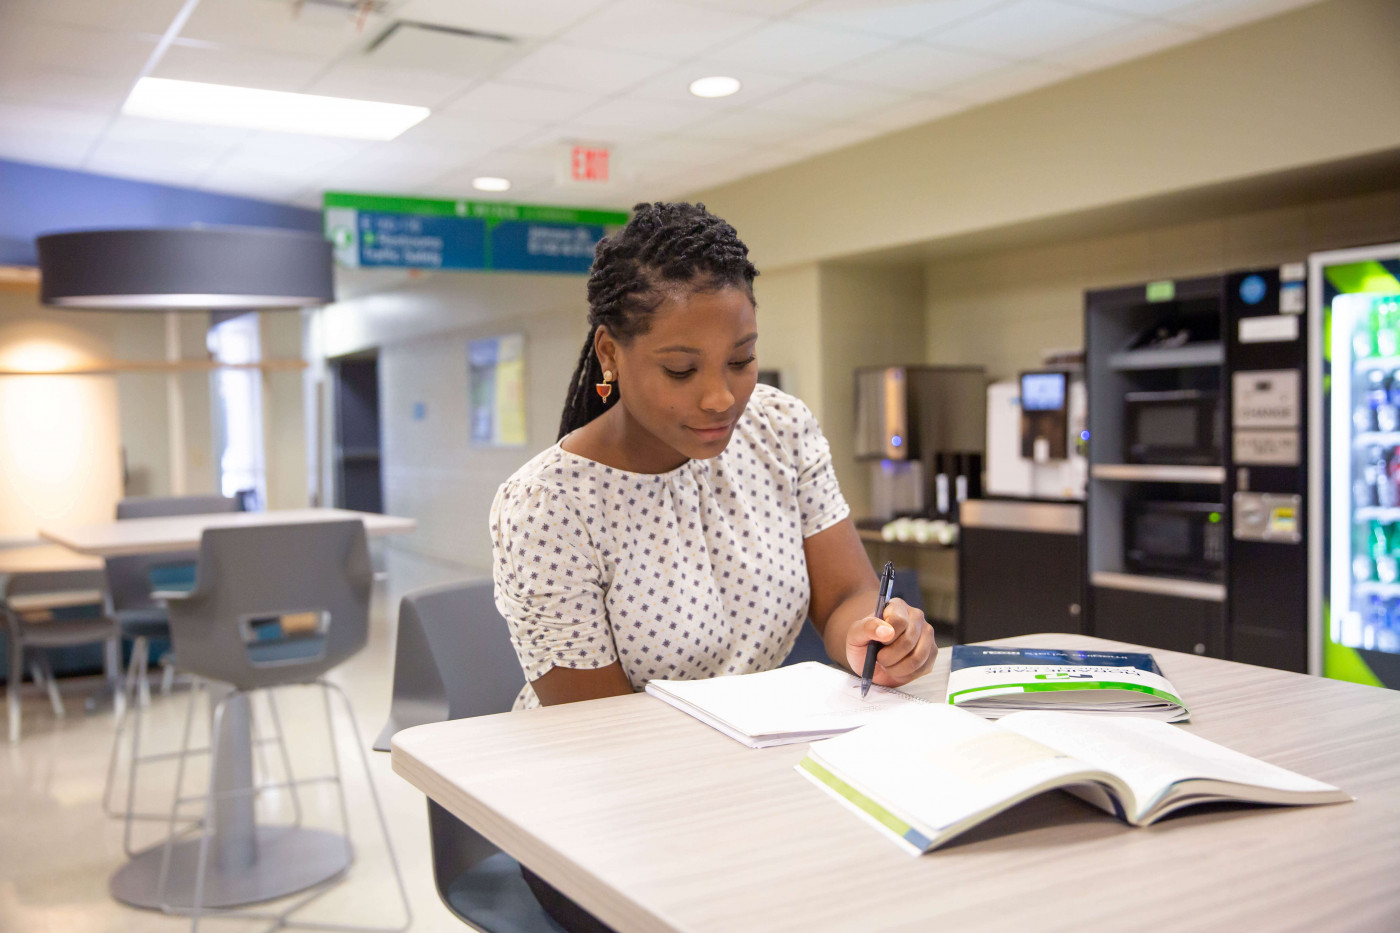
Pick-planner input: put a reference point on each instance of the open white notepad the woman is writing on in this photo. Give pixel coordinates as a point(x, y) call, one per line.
point(796, 704)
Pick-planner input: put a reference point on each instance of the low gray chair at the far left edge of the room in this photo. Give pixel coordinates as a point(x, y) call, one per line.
point(55, 610)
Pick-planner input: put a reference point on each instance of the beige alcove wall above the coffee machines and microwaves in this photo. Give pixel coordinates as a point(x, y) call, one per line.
point(1003, 309)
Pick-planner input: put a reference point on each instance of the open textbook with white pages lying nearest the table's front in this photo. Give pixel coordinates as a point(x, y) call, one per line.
point(927, 773)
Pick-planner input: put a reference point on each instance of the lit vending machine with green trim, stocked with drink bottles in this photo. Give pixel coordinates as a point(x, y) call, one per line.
point(1354, 401)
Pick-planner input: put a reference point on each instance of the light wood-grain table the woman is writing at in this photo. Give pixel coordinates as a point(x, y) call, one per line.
point(656, 822)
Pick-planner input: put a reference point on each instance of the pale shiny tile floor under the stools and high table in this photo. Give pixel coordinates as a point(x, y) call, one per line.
point(58, 850)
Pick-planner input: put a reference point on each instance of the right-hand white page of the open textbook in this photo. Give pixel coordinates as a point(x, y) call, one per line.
point(1151, 756)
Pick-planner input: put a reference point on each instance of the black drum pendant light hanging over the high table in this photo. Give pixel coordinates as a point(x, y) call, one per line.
point(187, 268)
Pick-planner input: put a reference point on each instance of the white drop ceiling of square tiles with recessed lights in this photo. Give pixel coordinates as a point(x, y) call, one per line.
point(509, 81)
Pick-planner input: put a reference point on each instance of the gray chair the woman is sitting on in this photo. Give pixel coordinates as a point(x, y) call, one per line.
point(454, 661)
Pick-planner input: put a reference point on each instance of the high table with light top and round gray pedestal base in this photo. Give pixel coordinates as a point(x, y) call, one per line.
point(248, 864)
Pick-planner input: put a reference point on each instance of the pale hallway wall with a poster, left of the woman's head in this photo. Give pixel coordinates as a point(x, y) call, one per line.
point(422, 326)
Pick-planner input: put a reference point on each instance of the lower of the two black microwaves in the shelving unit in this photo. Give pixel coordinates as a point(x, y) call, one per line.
point(1178, 539)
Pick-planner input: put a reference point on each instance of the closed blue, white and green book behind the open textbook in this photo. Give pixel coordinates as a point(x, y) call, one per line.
point(995, 682)
